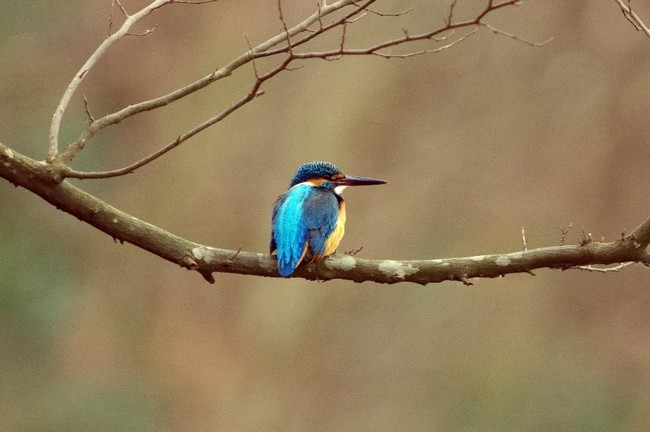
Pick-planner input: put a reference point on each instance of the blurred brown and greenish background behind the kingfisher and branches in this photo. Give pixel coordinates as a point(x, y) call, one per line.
point(476, 142)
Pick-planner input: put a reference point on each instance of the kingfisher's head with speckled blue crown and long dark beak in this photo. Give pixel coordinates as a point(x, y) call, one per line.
point(327, 175)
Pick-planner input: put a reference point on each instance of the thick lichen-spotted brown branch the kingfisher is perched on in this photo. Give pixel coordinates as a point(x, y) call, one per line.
point(35, 176)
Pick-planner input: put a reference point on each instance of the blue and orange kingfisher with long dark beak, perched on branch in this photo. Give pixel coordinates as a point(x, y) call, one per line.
point(308, 220)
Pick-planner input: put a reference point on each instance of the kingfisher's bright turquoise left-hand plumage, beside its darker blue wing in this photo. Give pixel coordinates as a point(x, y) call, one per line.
point(290, 234)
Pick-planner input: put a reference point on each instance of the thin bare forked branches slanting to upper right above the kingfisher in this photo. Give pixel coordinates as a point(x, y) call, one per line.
point(263, 50)
